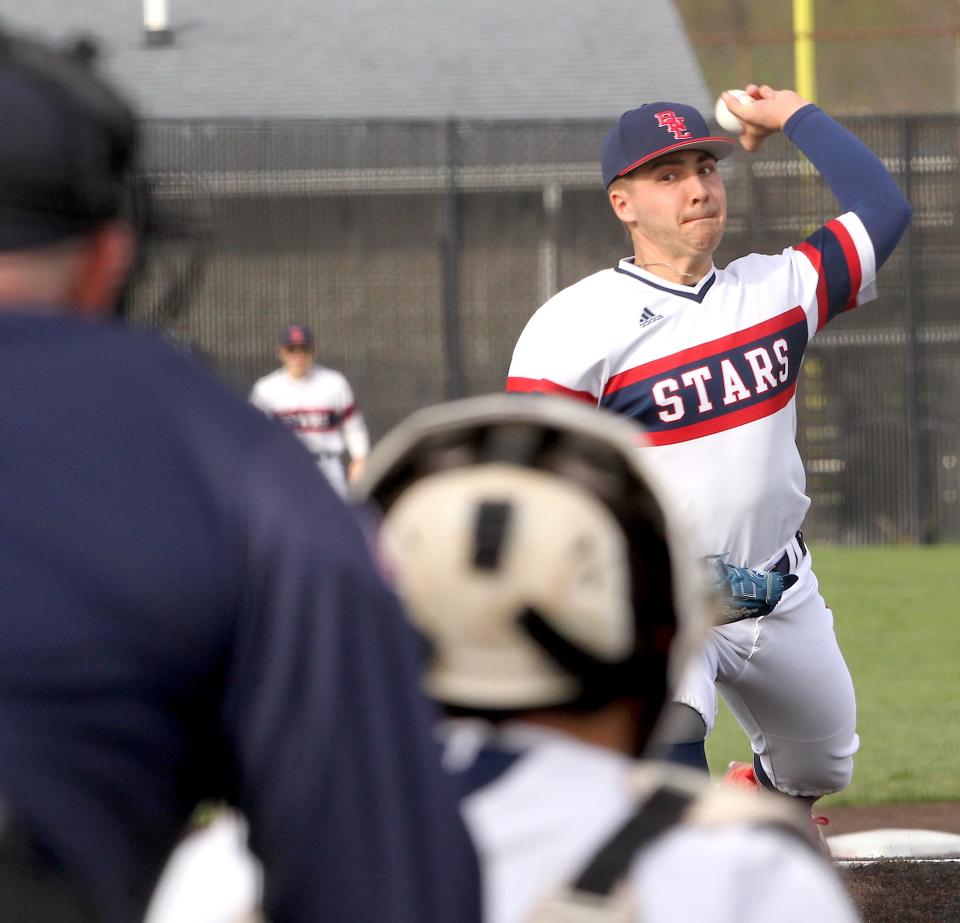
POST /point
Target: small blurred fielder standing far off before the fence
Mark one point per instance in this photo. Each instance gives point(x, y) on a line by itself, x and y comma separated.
point(317, 404)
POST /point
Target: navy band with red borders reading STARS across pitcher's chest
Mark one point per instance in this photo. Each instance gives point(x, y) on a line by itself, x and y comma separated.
point(715, 386)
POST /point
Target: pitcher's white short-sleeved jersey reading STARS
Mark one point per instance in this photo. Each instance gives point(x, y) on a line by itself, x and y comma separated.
point(710, 371)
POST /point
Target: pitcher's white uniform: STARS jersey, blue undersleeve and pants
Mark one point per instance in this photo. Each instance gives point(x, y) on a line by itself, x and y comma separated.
point(710, 371)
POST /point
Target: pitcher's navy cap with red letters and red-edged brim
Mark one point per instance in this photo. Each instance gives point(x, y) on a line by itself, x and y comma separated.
point(652, 130)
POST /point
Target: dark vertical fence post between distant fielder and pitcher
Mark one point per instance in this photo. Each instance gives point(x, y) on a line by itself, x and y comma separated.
point(450, 266)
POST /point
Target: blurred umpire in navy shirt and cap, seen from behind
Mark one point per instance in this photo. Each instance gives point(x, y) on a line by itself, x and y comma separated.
point(186, 610)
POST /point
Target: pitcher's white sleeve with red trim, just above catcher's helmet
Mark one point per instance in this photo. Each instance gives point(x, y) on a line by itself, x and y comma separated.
point(551, 358)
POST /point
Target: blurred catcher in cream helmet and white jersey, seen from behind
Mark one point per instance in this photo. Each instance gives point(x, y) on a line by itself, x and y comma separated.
point(536, 557)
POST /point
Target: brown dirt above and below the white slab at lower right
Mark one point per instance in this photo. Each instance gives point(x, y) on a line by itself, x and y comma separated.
point(902, 890)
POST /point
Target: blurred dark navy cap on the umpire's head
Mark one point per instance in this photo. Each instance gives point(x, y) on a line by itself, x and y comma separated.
point(67, 144)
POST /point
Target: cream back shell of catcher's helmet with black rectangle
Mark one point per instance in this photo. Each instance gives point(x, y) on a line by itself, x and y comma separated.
point(472, 548)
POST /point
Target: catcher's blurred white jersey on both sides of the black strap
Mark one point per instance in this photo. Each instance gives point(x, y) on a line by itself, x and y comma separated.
point(539, 821)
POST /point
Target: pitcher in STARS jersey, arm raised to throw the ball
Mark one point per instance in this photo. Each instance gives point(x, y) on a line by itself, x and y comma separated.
point(707, 360)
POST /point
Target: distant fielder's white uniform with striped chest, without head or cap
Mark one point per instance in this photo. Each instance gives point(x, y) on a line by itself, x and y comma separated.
point(320, 409)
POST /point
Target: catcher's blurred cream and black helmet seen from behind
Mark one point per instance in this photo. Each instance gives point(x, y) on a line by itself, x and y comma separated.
point(532, 551)
